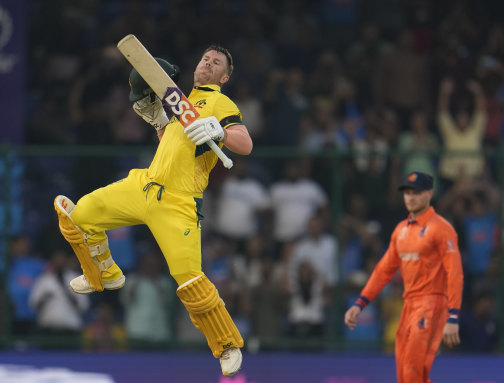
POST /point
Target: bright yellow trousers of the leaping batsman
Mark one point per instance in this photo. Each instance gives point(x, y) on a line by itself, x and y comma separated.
point(171, 216)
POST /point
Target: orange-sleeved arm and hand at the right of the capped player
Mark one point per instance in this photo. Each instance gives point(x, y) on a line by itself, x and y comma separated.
point(452, 263)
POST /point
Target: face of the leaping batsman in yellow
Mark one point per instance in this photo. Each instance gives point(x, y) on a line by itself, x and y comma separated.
point(212, 69)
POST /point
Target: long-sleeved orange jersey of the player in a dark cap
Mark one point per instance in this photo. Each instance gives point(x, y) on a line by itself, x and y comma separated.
point(426, 251)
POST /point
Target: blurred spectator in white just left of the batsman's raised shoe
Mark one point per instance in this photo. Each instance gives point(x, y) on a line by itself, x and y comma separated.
point(59, 311)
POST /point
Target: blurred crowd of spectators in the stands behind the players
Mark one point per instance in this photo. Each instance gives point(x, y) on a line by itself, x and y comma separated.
point(390, 86)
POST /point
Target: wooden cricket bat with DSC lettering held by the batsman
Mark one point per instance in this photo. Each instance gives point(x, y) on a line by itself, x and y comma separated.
point(164, 87)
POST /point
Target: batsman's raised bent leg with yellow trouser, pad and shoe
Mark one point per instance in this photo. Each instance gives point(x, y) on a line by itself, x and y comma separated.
point(83, 225)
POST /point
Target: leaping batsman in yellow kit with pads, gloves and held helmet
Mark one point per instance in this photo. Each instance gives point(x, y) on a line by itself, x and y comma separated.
point(167, 197)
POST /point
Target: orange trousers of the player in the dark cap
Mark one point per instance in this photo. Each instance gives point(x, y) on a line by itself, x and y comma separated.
point(423, 325)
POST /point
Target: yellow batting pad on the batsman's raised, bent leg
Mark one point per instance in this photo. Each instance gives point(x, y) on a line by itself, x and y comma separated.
point(75, 237)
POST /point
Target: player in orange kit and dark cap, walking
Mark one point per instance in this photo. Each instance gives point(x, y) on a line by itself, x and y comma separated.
point(424, 246)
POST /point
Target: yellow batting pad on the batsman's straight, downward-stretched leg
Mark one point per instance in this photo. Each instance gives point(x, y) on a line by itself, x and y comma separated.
point(207, 311)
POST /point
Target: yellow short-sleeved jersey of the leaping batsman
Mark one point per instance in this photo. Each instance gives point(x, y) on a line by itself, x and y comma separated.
point(179, 164)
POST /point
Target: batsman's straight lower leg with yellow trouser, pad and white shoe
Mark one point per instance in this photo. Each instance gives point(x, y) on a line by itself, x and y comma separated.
point(174, 224)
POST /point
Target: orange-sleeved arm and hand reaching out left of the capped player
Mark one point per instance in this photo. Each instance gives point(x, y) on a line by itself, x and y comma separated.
point(382, 274)
